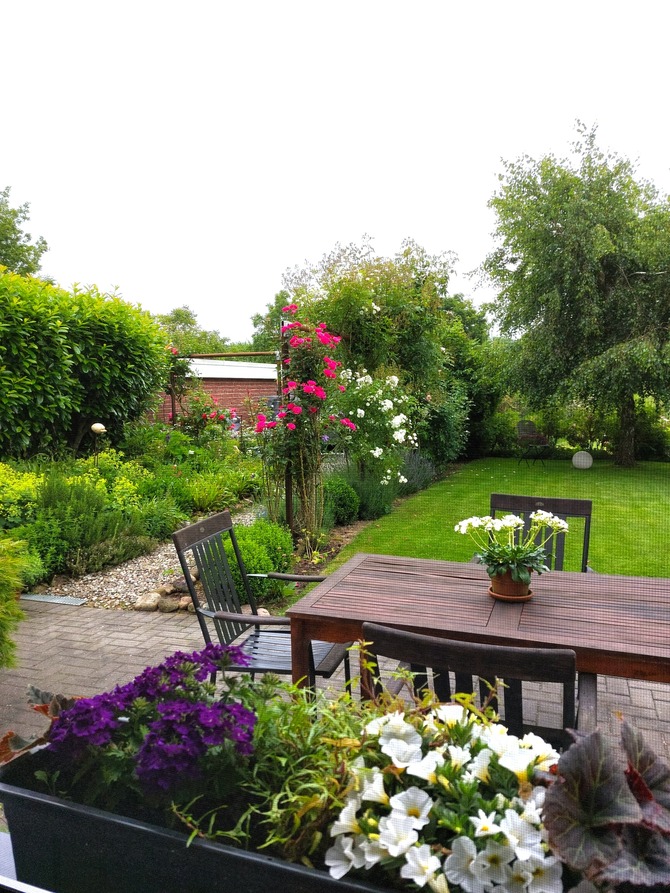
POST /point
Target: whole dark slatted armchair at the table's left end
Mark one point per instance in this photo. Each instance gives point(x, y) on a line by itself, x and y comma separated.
point(268, 645)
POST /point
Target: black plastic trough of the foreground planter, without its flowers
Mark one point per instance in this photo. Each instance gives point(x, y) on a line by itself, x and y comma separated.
point(67, 848)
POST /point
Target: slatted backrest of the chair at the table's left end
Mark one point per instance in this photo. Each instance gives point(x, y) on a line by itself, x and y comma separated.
point(212, 545)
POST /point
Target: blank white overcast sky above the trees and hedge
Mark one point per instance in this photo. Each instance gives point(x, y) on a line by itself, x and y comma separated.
point(189, 152)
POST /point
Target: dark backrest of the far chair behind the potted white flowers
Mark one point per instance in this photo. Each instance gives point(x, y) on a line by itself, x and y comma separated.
point(523, 506)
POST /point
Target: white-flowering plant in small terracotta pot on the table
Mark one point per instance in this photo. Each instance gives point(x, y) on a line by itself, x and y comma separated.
point(511, 552)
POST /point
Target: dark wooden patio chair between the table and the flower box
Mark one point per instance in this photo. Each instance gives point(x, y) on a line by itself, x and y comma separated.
point(491, 662)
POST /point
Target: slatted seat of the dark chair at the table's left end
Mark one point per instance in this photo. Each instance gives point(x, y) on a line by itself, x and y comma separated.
point(270, 652)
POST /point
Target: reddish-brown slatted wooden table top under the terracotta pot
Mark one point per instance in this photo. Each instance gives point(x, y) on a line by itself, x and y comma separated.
point(618, 626)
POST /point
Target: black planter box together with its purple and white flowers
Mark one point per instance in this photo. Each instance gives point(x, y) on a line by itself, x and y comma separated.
point(170, 783)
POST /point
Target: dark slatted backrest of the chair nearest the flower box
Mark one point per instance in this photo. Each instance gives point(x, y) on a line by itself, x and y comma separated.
point(514, 665)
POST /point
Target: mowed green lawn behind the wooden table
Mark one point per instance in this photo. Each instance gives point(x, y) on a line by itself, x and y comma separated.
point(630, 532)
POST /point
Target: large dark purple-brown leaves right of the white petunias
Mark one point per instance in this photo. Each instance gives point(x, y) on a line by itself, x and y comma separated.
point(609, 819)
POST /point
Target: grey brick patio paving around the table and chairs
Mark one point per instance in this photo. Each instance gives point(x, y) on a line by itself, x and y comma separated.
point(76, 650)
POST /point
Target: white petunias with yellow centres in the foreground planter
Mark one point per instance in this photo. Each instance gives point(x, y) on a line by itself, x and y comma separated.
point(442, 799)
